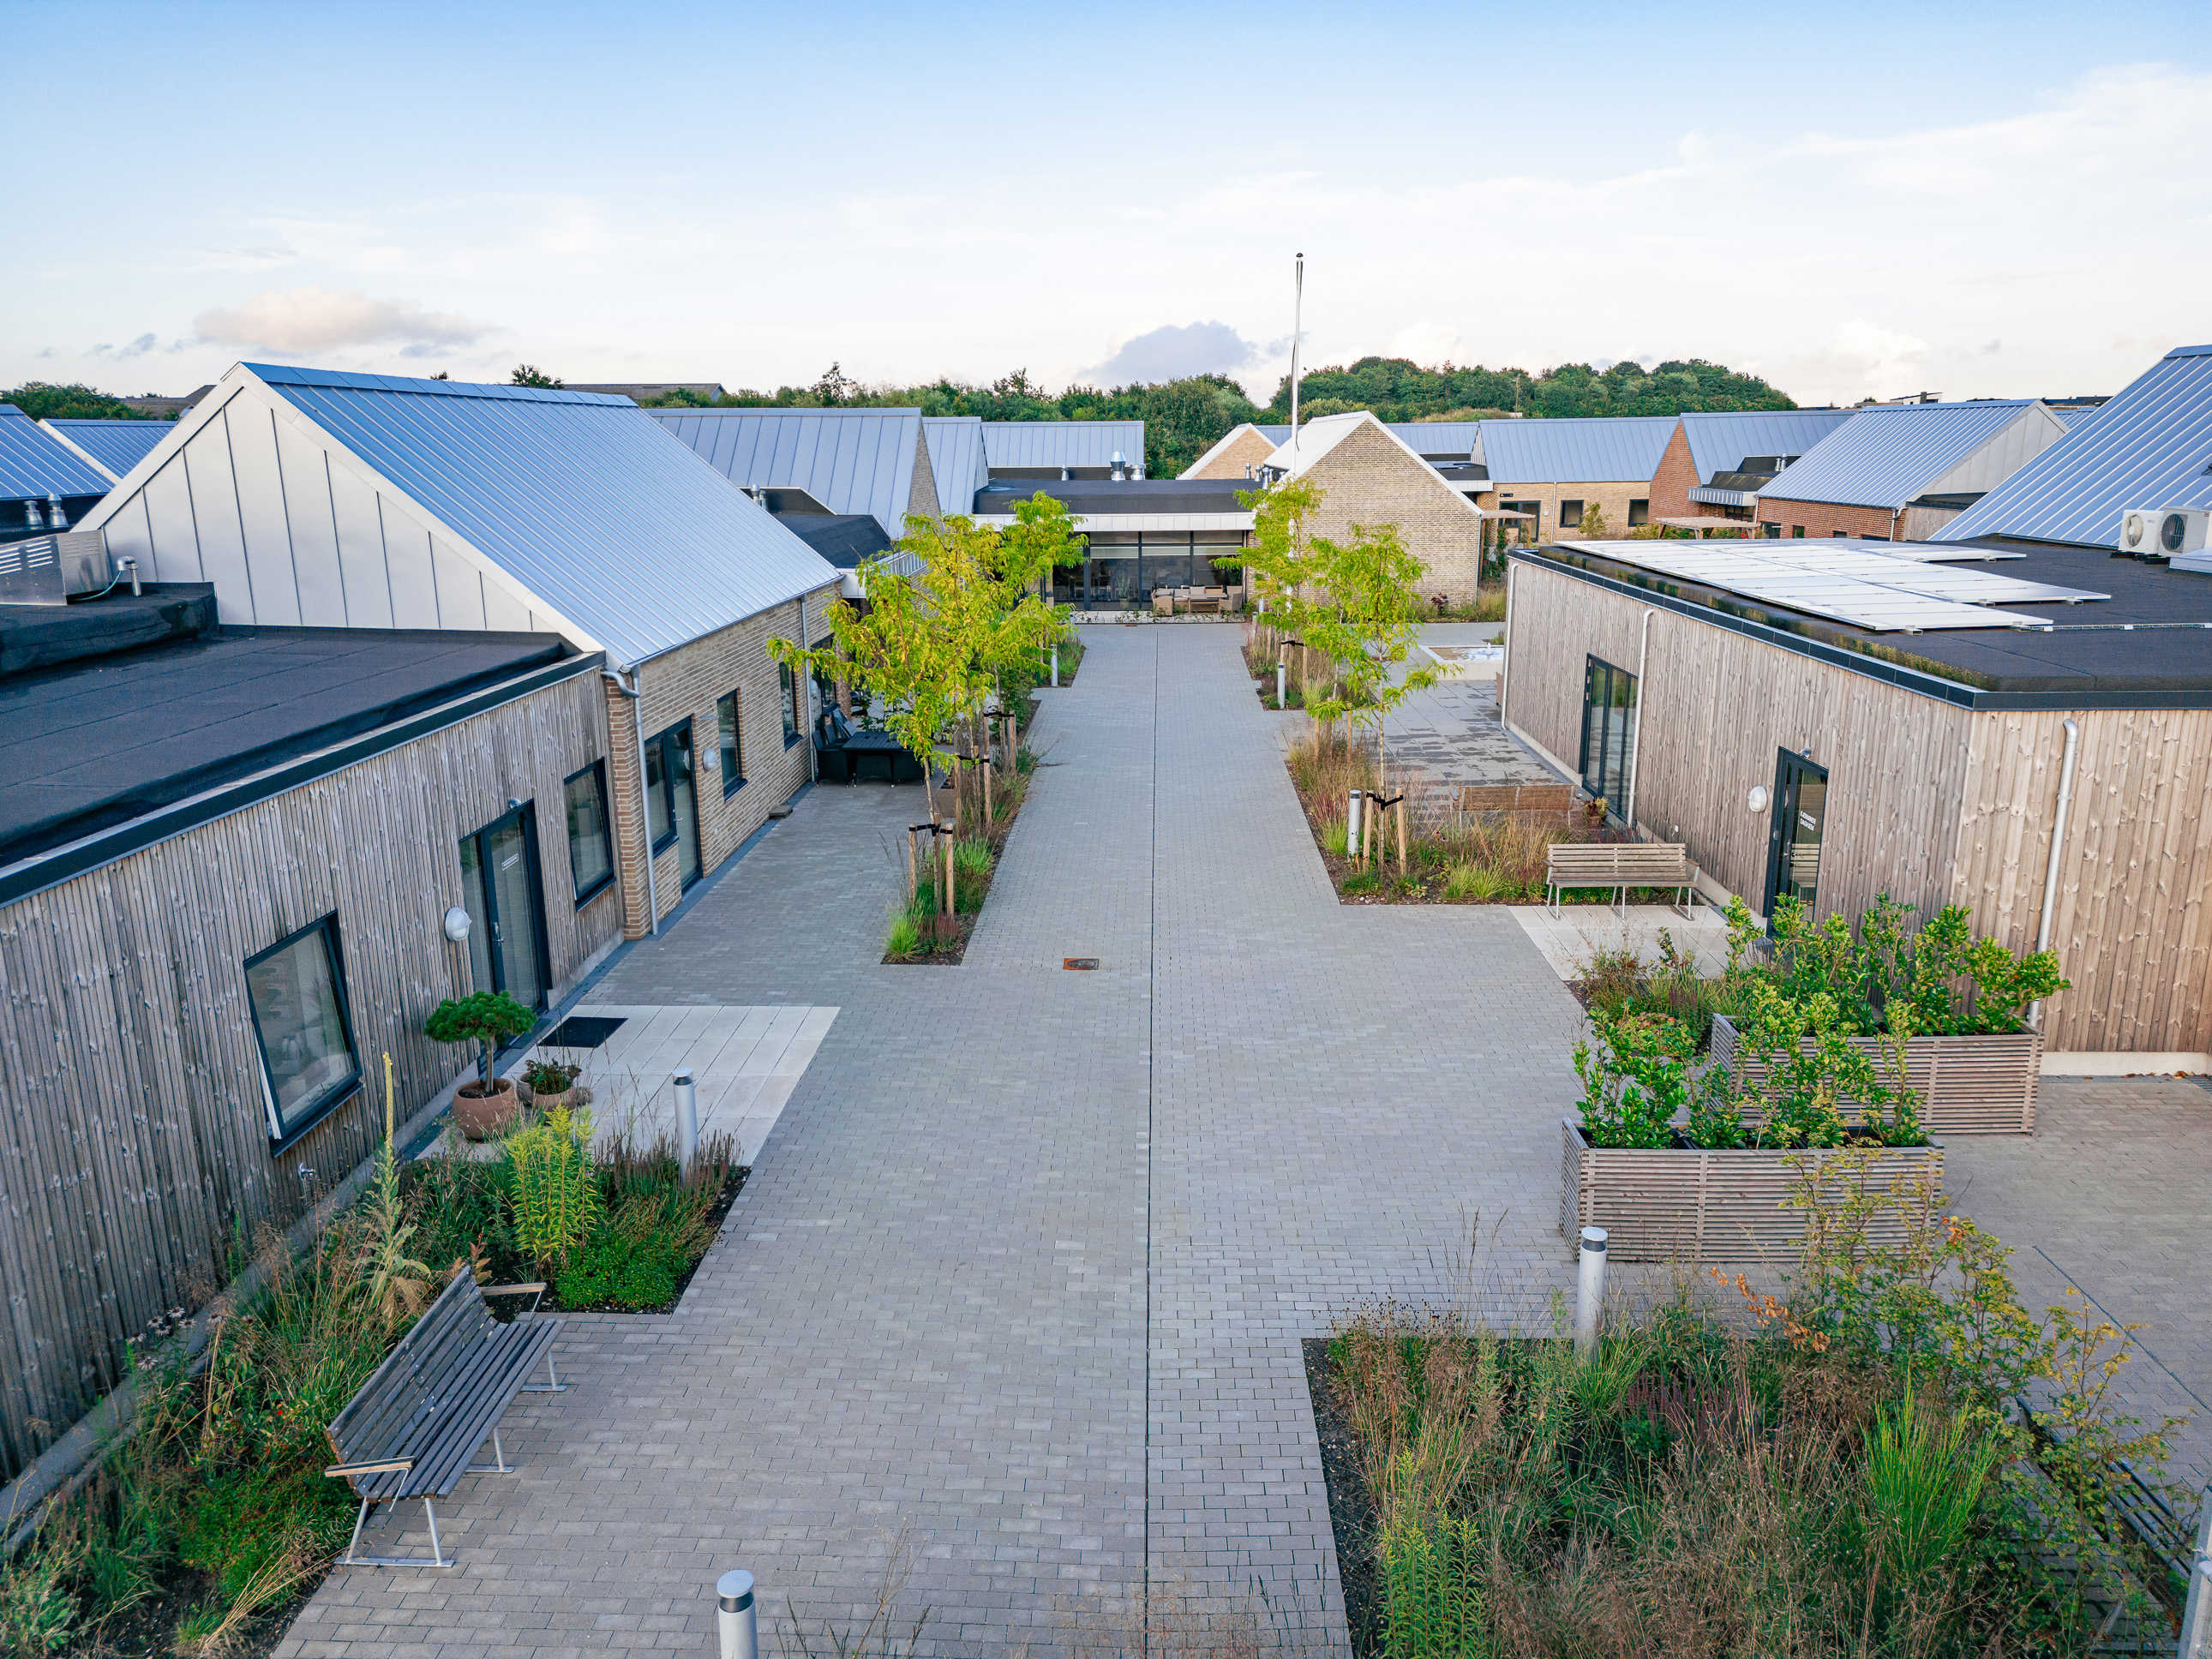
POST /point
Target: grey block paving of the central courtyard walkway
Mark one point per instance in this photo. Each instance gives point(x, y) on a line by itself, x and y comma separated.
point(1027, 1258)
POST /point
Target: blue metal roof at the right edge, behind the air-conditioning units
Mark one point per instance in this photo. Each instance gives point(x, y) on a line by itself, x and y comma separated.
point(2151, 446)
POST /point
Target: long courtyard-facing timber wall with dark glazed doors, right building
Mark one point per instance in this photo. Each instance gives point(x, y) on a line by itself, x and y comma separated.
point(1715, 711)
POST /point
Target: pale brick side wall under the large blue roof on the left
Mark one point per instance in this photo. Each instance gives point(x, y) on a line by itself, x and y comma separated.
point(687, 685)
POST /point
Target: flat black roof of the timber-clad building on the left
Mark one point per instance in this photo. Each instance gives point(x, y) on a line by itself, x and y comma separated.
point(107, 740)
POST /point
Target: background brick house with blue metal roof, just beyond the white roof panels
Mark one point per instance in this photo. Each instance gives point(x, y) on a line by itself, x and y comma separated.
point(1901, 472)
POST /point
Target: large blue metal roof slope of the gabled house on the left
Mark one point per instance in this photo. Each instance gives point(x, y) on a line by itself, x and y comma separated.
point(581, 499)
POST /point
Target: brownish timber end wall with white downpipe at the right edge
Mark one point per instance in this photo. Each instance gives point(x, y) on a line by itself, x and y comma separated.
point(2131, 926)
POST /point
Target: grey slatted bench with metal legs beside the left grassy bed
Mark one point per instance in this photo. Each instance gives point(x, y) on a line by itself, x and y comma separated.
point(417, 1423)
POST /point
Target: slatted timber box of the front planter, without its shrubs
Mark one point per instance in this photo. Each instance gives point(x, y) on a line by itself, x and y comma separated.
point(1687, 1204)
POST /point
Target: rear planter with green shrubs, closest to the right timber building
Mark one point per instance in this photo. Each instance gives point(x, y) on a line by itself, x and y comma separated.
point(1963, 1005)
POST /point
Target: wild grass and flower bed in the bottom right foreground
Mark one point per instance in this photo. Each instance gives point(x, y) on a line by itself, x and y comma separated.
point(1892, 1457)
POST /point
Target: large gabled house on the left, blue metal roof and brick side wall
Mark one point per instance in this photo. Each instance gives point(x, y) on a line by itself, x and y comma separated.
point(357, 501)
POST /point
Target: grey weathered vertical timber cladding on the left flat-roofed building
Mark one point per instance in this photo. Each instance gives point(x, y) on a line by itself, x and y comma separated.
point(134, 1140)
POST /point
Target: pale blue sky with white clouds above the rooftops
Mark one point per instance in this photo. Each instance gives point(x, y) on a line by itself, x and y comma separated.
point(1866, 202)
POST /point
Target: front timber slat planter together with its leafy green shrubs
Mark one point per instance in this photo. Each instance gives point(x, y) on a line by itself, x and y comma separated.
point(1682, 1165)
